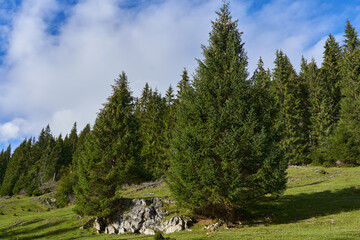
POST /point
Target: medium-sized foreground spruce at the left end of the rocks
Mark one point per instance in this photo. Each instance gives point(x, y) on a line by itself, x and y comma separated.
point(111, 155)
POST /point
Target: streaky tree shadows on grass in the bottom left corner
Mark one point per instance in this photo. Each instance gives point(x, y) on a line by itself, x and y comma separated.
point(27, 230)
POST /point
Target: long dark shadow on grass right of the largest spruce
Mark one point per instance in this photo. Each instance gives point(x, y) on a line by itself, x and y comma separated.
point(293, 208)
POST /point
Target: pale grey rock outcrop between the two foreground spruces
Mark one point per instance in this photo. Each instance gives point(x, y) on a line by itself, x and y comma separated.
point(145, 216)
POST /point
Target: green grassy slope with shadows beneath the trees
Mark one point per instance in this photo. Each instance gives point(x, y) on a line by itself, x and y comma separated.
point(315, 206)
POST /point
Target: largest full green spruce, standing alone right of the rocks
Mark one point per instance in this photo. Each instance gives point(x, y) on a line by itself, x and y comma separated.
point(223, 155)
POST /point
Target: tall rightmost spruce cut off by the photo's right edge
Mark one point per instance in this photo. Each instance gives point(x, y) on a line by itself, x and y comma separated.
point(343, 145)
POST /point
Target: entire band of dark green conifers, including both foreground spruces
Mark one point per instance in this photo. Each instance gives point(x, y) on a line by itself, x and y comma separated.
point(222, 140)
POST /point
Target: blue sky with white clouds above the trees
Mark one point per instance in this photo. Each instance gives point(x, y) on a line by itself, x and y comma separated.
point(58, 58)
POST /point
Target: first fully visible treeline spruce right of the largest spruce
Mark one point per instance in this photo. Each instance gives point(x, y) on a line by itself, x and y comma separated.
point(289, 91)
